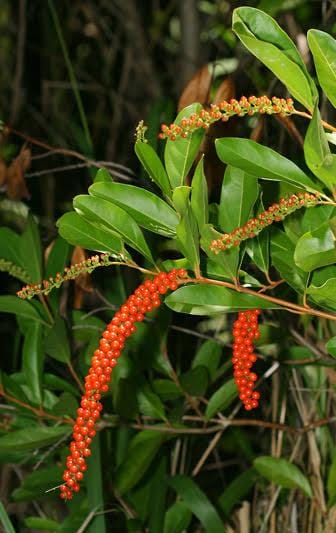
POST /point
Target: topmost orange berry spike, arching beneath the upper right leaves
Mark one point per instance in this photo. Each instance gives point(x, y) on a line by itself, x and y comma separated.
point(224, 111)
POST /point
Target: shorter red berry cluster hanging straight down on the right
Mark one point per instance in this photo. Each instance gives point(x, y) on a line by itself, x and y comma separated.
point(245, 330)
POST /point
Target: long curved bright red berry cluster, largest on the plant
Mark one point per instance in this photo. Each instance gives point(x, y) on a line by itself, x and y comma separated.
point(145, 298)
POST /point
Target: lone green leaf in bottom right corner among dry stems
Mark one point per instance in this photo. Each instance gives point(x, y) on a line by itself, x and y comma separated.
point(282, 473)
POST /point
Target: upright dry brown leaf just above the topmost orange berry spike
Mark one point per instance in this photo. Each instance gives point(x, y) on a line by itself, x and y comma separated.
point(197, 89)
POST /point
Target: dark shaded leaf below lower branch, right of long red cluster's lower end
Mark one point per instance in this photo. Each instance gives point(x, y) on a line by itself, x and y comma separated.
point(141, 451)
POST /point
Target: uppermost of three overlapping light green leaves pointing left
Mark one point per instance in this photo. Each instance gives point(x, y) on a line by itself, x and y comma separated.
point(147, 209)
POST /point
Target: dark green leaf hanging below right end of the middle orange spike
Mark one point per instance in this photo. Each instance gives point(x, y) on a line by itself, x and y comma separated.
point(282, 256)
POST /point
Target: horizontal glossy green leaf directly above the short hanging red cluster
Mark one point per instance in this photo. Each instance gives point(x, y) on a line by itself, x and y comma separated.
point(210, 299)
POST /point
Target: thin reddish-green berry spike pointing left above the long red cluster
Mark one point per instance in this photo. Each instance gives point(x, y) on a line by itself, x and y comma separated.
point(72, 272)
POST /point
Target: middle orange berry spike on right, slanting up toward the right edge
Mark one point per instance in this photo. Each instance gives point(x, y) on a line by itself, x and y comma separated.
point(274, 213)
